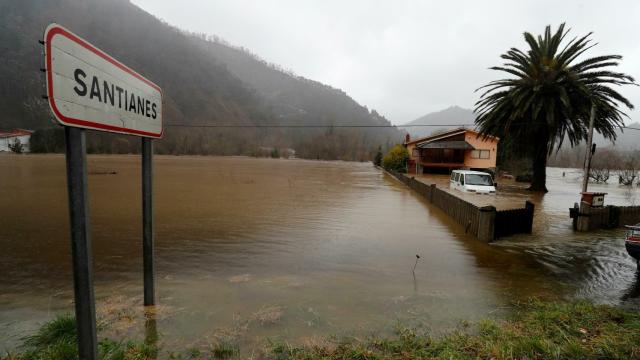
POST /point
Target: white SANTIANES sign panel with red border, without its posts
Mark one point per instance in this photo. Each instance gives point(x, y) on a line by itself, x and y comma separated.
point(89, 89)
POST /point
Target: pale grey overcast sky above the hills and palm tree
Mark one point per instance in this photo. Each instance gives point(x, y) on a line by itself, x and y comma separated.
point(403, 58)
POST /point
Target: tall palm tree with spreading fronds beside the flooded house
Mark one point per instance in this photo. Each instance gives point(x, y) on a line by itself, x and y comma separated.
point(549, 97)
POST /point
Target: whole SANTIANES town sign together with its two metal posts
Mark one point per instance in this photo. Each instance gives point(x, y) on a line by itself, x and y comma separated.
point(88, 89)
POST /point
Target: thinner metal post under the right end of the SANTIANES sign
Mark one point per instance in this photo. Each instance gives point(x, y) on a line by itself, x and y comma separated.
point(147, 222)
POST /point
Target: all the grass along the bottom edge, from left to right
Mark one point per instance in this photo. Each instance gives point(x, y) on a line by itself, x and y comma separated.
point(536, 330)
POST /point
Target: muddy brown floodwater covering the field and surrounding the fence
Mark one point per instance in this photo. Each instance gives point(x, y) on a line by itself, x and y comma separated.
point(255, 249)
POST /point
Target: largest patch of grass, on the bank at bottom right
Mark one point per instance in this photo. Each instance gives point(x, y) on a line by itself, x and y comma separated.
point(536, 330)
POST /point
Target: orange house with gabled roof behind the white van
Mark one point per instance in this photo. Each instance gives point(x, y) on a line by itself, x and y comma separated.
point(460, 148)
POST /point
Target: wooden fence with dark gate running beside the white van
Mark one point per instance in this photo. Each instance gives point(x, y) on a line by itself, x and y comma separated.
point(486, 223)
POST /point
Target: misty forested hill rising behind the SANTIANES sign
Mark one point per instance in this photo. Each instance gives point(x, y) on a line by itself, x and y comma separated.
point(205, 82)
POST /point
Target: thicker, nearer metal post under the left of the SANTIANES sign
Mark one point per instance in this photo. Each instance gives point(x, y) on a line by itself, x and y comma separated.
point(76, 156)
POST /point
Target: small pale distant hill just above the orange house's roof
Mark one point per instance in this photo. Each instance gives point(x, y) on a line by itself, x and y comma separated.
point(451, 117)
